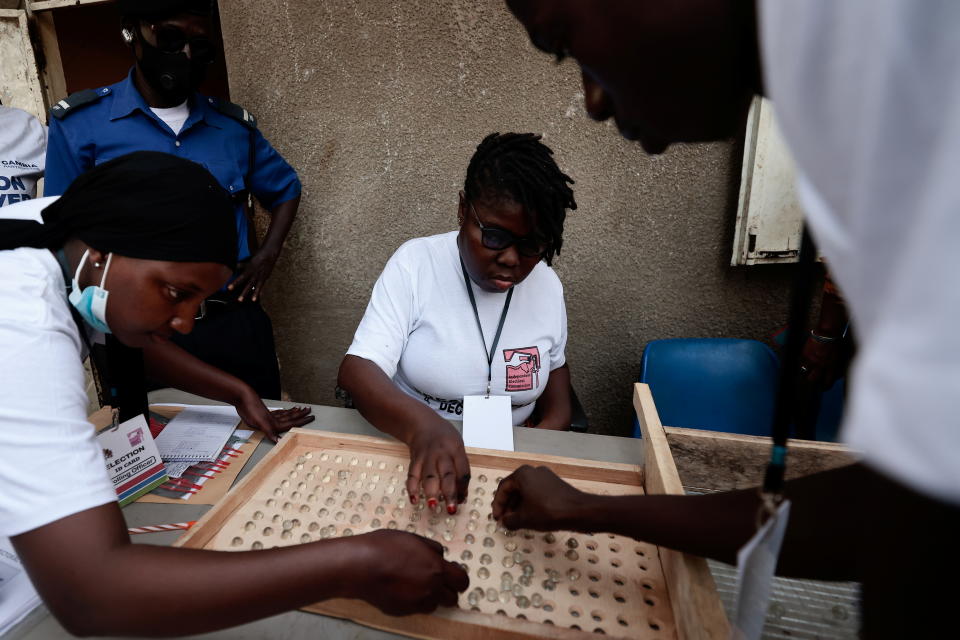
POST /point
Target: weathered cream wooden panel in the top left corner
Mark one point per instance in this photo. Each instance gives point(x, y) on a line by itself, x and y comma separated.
point(19, 81)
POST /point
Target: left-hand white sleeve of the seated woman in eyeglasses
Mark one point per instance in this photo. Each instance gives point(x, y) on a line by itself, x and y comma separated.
point(389, 318)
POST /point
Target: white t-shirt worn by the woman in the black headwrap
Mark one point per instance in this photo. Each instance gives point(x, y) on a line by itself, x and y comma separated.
point(50, 464)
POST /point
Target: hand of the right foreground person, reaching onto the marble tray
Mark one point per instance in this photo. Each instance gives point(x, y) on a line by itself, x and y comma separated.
point(536, 498)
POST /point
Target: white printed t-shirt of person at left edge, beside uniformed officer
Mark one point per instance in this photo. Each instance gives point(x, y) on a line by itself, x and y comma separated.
point(23, 149)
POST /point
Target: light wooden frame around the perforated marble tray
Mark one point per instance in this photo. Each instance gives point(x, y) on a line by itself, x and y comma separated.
point(698, 613)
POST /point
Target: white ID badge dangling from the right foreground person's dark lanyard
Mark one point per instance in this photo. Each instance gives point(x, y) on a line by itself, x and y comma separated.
point(756, 563)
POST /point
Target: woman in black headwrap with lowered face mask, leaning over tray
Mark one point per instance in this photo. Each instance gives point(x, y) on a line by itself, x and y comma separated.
point(132, 248)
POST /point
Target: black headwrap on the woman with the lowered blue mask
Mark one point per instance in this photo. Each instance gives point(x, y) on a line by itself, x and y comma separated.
point(146, 204)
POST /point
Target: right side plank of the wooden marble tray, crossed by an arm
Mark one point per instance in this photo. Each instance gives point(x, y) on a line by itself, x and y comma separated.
point(698, 612)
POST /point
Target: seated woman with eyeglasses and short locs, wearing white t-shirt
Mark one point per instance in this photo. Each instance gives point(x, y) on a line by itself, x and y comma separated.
point(473, 311)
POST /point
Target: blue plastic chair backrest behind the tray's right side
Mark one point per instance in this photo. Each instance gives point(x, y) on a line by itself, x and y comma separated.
point(720, 384)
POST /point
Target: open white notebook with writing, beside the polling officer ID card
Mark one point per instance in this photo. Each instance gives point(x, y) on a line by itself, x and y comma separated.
point(196, 435)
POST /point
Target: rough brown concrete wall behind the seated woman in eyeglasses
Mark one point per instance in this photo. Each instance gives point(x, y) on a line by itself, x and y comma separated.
point(379, 106)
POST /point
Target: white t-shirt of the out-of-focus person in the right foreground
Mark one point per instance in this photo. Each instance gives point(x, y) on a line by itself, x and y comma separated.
point(867, 93)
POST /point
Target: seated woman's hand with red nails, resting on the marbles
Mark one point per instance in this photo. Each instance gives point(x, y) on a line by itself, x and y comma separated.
point(438, 463)
